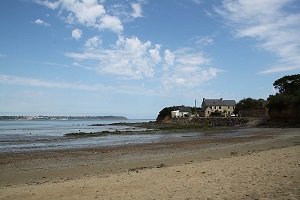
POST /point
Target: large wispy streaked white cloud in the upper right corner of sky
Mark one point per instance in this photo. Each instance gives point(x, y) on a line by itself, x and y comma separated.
point(275, 29)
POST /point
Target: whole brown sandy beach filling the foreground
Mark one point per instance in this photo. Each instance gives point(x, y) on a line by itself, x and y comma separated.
point(262, 165)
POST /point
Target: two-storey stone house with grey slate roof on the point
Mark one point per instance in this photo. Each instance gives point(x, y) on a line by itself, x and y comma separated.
point(217, 107)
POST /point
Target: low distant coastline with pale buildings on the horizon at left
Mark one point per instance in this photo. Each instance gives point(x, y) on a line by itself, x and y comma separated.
point(41, 117)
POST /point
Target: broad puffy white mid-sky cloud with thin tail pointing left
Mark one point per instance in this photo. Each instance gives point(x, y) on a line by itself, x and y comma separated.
point(128, 58)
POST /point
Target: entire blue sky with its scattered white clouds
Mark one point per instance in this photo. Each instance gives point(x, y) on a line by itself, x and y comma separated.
point(135, 57)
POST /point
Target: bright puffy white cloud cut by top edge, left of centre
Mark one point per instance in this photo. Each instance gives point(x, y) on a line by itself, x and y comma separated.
point(90, 13)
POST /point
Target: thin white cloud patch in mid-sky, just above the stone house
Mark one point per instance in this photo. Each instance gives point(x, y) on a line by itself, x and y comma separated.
point(190, 68)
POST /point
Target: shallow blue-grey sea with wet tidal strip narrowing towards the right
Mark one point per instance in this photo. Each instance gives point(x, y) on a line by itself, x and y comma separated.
point(20, 136)
